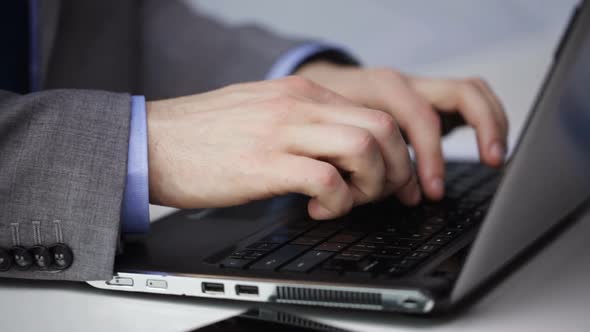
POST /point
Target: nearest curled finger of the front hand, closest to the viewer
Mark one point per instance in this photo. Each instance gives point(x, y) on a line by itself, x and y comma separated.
point(330, 195)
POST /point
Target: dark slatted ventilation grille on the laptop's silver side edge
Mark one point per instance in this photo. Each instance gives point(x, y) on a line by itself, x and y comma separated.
point(329, 297)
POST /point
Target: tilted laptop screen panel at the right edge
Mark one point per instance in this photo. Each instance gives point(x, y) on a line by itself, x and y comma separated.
point(547, 178)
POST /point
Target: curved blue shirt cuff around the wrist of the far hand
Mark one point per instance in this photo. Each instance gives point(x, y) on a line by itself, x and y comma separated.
point(289, 62)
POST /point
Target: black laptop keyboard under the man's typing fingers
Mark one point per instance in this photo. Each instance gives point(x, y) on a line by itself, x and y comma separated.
point(383, 239)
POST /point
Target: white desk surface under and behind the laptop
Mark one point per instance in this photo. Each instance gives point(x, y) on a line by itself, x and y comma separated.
point(548, 294)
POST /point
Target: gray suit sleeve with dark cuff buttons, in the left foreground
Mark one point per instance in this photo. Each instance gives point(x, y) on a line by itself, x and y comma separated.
point(63, 164)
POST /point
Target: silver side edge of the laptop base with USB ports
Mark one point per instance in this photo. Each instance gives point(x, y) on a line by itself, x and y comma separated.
point(411, 301)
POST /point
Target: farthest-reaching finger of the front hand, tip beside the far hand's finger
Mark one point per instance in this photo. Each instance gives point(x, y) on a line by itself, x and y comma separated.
point(384, 128)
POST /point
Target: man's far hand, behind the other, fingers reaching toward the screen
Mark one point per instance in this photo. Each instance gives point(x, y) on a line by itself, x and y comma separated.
point(415, 104)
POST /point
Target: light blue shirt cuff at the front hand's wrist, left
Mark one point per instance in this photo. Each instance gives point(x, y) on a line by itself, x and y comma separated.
point(135, 215)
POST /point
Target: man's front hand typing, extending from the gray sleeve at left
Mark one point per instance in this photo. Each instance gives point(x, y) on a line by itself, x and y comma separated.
point(257, 140)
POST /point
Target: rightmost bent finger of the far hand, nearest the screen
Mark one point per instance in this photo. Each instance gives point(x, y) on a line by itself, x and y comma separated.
point(465, 98)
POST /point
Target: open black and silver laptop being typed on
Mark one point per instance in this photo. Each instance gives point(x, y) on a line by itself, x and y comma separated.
point(384, 256)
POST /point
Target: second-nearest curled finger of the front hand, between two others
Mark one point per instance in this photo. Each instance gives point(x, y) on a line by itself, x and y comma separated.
point(351, 149)
